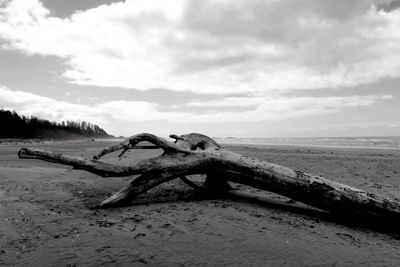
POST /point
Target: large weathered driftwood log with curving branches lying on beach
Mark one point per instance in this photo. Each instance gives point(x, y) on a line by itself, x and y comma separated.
point(198, 154)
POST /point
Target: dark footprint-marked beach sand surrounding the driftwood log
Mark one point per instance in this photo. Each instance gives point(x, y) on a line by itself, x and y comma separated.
point(45, 219)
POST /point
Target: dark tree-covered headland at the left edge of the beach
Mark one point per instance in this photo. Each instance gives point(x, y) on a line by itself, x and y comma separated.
point(16, 126)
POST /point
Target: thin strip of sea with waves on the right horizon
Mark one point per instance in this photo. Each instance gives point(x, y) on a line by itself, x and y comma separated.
point(389, 142)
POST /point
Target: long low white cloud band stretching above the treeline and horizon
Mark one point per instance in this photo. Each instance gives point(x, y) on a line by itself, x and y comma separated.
point(258, 108)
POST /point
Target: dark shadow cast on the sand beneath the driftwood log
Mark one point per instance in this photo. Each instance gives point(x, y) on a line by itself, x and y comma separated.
point(176, 195)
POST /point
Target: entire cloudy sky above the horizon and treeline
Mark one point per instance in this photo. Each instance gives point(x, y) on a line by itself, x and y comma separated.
point(244, 68)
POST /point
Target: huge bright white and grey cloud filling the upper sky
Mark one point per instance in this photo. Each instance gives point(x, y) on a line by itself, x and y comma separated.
point(217, 46)
